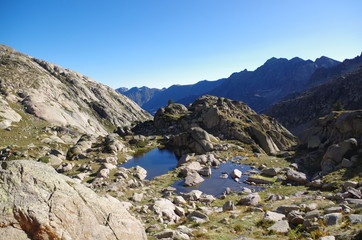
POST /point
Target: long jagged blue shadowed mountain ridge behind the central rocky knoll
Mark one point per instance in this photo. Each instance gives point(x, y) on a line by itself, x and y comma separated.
point(259, 89)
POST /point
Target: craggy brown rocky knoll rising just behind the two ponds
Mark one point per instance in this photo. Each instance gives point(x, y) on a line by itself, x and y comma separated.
point(225, 119)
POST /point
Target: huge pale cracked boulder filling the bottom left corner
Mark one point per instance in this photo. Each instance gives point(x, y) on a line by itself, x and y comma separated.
point(39, 203)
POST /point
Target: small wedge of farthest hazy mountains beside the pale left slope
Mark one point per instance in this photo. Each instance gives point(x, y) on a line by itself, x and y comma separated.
point(140, 95)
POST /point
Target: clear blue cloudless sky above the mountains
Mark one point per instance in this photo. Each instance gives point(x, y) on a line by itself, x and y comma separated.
point(158, 43)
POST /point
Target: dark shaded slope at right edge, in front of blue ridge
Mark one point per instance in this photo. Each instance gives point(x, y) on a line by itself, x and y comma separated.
point(342, 92)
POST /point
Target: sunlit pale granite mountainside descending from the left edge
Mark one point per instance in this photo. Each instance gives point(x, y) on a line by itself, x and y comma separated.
point(60, 96)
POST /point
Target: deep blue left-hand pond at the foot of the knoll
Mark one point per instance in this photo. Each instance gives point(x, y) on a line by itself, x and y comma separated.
point(157, 162)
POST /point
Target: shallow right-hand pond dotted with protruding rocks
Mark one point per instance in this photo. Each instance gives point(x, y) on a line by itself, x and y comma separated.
point(214, 185)
